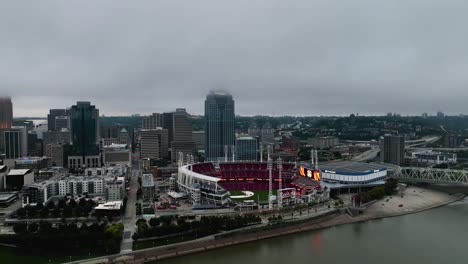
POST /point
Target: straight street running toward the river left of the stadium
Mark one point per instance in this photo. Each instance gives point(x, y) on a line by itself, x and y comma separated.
point(129, 218)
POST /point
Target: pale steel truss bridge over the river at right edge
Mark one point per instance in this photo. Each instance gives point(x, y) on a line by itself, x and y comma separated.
point(431, 175)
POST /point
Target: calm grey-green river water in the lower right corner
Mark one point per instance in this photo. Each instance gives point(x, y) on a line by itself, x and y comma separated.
point(435, 236)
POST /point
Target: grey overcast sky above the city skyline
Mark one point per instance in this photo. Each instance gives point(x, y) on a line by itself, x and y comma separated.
point(330, 57)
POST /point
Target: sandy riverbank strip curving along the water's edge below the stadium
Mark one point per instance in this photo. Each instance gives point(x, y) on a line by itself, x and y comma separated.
point(415, 199)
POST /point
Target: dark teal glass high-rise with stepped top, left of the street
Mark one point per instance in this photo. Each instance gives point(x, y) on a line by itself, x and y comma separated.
point(84, 128)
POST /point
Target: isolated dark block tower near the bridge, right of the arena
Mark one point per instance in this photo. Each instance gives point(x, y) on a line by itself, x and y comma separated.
point(393, 149)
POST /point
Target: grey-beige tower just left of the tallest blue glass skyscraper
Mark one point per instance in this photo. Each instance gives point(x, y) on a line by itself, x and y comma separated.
point(182, 134)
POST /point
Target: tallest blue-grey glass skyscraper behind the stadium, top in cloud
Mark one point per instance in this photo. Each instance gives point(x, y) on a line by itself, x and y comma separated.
point(219, 124)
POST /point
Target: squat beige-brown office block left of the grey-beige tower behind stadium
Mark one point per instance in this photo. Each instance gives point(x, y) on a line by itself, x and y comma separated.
point(154, 143)
